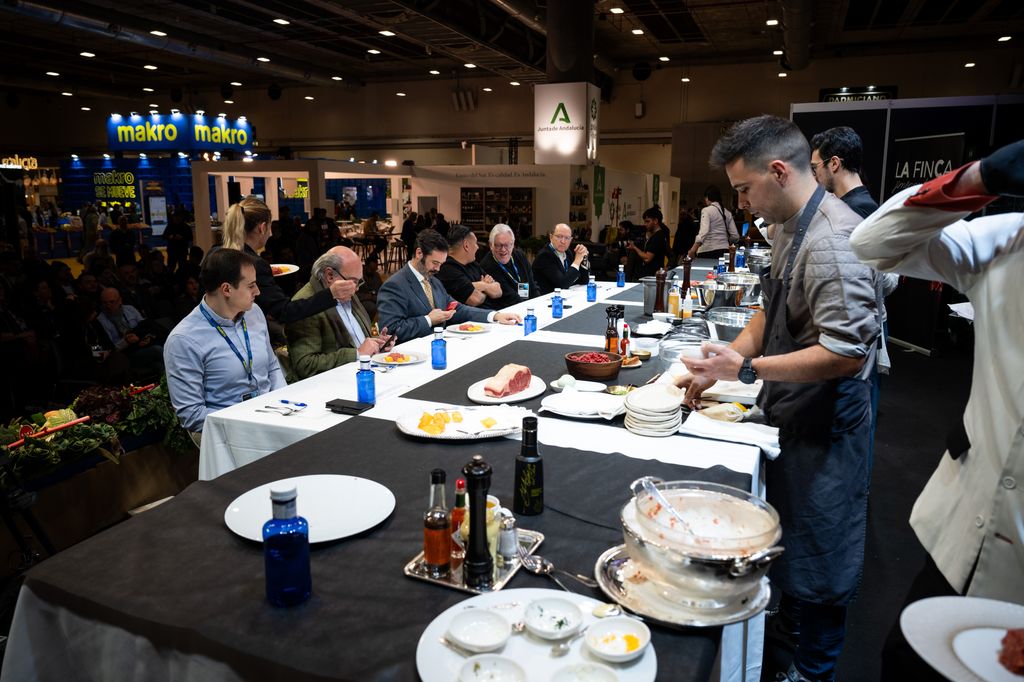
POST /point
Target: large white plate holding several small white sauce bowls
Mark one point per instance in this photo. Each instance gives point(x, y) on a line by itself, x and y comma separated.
point(437, 663)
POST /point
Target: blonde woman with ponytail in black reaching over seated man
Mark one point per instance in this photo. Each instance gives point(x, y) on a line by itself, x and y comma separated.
point(247, 228)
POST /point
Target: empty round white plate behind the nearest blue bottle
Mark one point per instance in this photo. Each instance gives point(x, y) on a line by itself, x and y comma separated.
point(335, 506)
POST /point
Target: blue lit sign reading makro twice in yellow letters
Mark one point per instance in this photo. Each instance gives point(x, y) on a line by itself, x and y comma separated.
point(178, 133)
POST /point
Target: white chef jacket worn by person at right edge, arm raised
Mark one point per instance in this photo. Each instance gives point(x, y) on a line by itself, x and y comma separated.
point(972, 509)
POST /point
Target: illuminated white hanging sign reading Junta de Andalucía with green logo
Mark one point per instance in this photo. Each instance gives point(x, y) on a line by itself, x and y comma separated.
point(566, 123)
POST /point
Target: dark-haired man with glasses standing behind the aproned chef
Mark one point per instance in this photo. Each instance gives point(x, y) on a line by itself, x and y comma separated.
point(836, 156)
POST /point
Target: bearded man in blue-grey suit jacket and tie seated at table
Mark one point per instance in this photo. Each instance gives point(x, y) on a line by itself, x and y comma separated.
point(413, 302)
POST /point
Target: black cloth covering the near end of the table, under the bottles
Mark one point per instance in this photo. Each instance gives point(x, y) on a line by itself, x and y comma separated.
point(179, 577)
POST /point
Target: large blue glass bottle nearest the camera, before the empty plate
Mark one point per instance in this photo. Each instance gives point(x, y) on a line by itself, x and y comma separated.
point(286, 552)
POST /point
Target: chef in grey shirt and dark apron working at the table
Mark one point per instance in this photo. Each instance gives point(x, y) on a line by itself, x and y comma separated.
point(814, 348)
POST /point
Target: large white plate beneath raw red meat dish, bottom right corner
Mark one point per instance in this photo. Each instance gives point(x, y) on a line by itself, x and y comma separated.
point(932, 625)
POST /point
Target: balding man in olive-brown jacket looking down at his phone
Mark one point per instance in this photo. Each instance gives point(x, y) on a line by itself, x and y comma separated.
point(340, 334)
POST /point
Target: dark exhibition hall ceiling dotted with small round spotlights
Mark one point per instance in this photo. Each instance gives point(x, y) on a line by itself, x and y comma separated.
point(209, 46)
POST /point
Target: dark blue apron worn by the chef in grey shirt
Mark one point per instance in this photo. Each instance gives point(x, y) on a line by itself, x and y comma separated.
point(820, 483)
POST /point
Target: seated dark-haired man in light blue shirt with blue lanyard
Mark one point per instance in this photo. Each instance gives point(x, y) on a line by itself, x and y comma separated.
point(221, 354)
